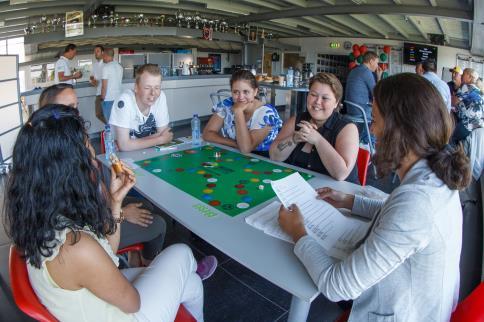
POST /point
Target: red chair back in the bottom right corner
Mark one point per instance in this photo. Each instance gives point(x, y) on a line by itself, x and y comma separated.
point(471, 309)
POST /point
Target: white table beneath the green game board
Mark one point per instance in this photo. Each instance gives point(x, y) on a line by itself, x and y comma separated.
point(271, 258)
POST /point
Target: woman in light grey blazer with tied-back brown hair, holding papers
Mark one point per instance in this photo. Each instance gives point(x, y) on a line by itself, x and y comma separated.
point(407, 266)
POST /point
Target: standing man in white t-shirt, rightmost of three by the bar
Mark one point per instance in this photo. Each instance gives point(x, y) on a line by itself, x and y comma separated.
point(111, 87)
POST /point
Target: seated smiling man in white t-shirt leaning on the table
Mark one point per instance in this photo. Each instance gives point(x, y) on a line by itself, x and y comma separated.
point(140, 117)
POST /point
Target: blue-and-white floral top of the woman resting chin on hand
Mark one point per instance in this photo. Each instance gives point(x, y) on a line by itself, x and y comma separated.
point(266, 115)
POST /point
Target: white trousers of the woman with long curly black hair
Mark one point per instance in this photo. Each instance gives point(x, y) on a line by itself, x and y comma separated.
point(168, 281)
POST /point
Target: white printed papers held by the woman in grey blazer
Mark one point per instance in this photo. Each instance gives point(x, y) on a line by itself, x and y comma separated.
point(336, 233)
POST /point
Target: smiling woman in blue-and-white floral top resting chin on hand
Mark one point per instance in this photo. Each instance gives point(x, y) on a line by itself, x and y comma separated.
point(243, 121)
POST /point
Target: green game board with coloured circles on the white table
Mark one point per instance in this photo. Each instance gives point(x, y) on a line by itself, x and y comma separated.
point(231, 182)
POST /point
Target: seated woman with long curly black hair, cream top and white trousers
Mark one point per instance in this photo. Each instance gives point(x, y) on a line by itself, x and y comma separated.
point(58, 216)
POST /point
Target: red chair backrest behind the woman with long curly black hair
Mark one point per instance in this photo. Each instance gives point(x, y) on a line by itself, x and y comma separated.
point(23, 294)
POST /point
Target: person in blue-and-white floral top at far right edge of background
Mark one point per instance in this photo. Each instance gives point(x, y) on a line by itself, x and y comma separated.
point(468, 106)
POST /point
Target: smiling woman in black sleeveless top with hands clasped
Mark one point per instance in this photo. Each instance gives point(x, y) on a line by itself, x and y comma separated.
point(320, 139)
